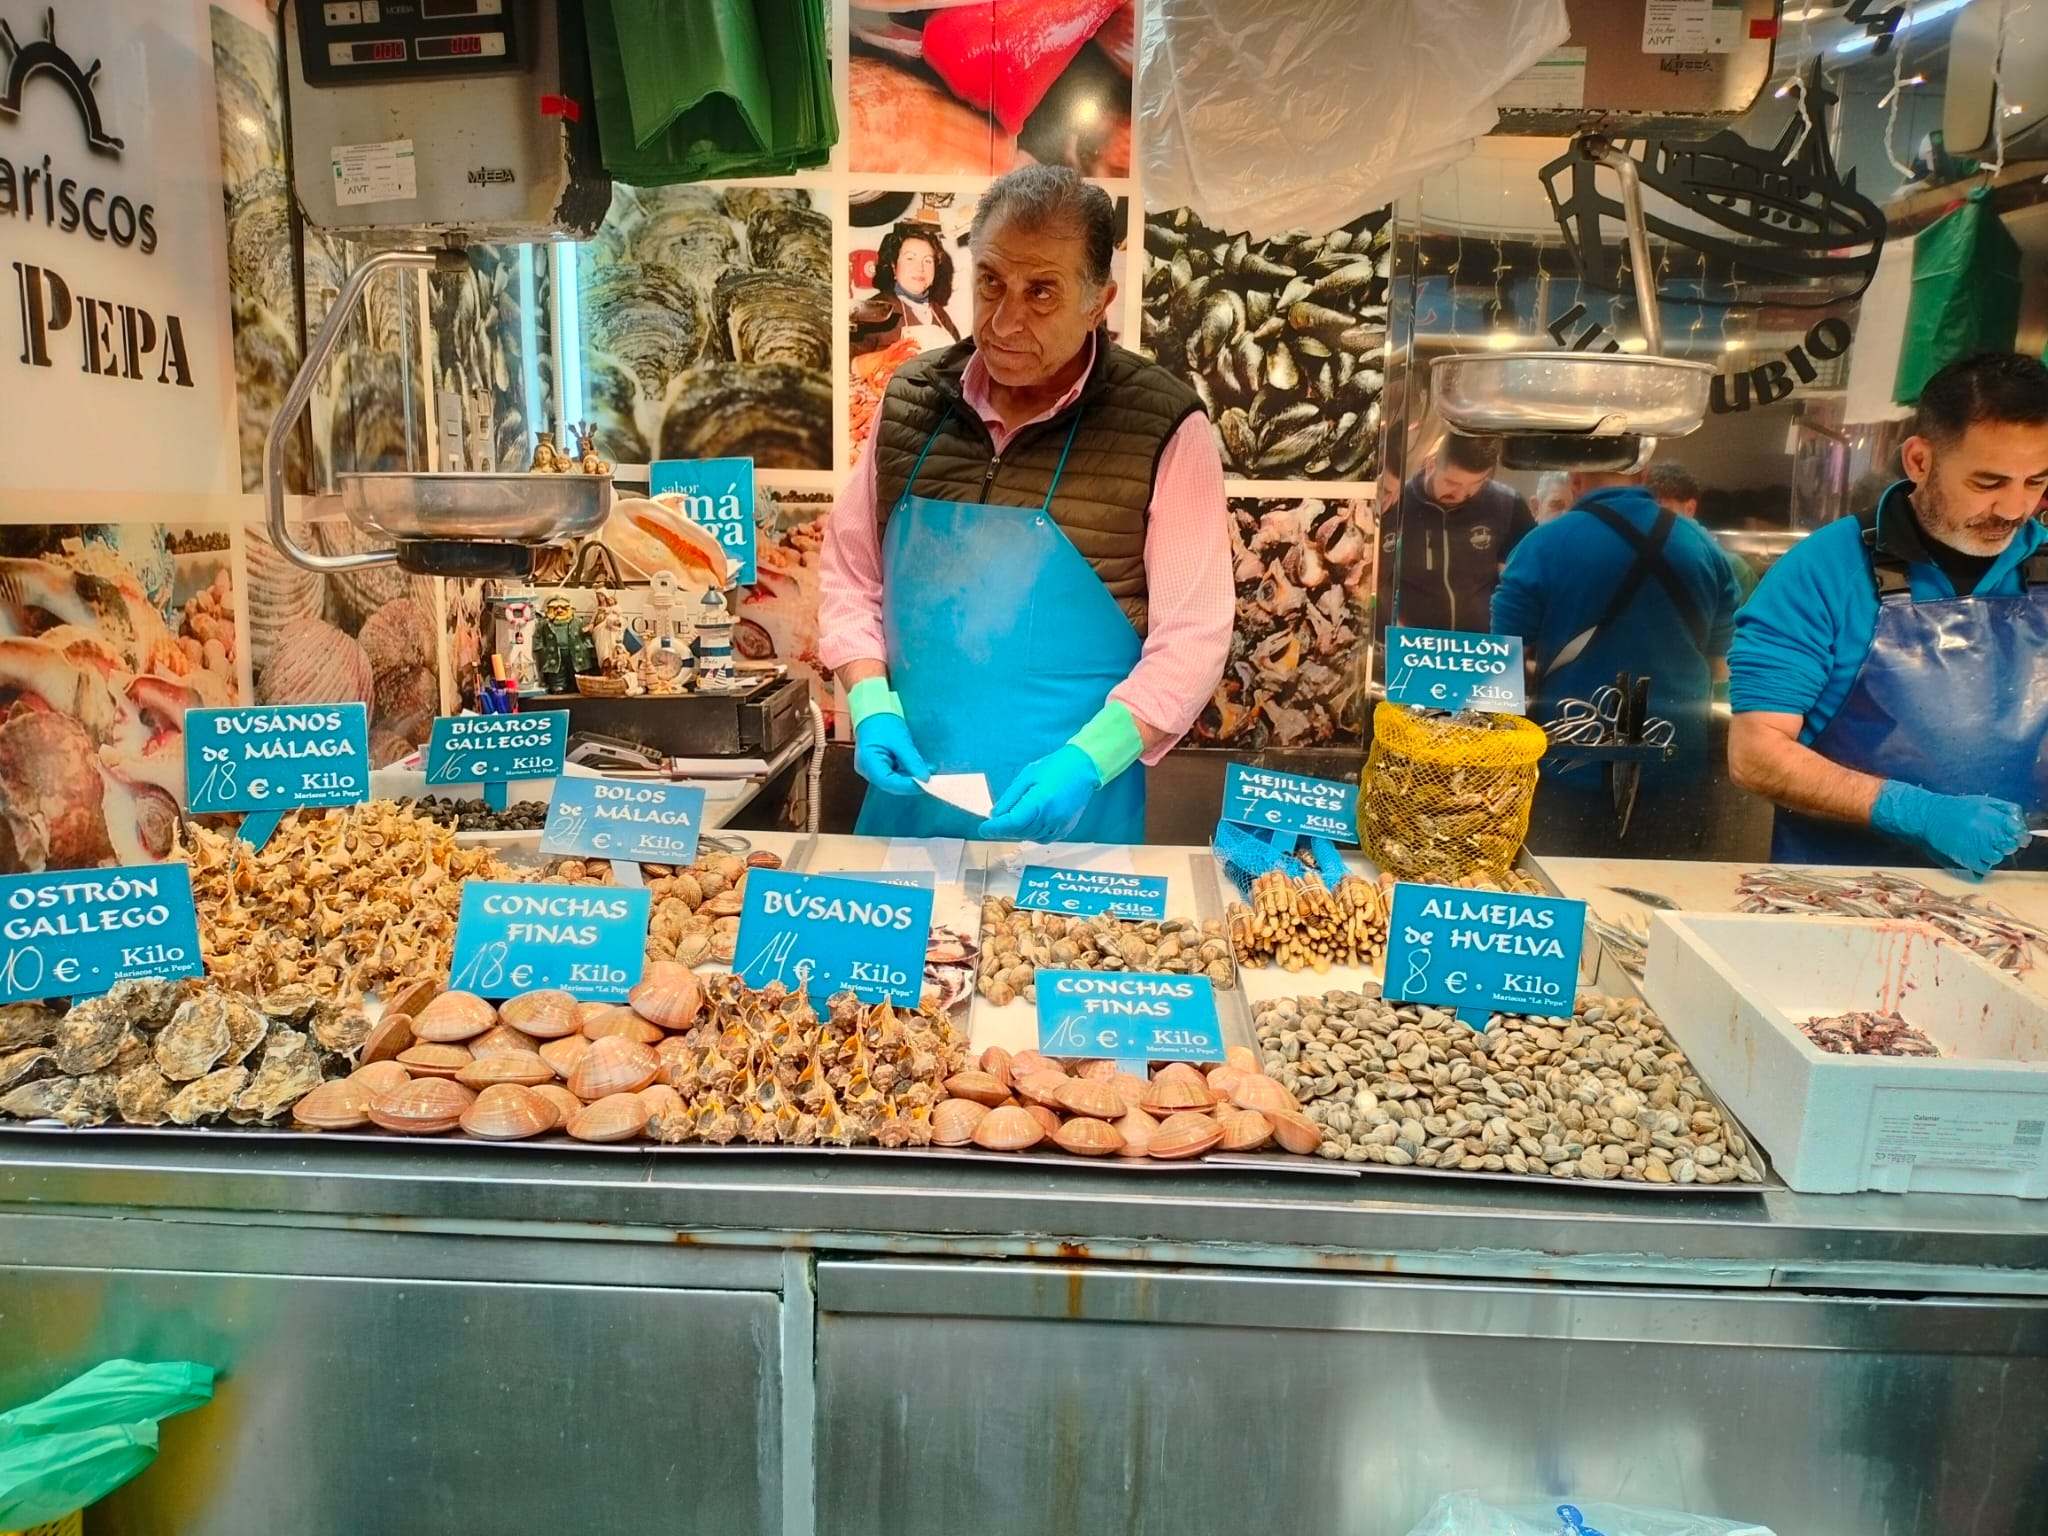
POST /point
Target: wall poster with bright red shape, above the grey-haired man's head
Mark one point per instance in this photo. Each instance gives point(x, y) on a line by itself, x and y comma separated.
point(982, 89)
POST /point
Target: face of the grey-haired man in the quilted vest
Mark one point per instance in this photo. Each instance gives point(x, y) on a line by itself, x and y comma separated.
point(1035, 306)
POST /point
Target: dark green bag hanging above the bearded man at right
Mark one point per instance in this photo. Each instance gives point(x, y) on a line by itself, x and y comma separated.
point(1965, 294)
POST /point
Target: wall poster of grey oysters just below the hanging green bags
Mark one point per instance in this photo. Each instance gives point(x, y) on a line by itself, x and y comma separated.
point(708, 327)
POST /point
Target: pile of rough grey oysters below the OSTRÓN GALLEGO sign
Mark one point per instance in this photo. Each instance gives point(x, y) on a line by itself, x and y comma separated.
point(175, 1054)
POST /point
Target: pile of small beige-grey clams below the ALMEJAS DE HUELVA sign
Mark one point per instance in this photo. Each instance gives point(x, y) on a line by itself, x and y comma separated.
point(1603, 1095)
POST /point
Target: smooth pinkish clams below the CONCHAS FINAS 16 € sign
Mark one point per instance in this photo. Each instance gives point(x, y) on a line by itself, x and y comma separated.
point(1097, 1109)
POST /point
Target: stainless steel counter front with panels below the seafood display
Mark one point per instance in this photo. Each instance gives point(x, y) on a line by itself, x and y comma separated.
point(505, 1340)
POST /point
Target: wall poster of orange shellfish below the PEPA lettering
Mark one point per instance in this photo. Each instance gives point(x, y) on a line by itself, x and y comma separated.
point(110, 634)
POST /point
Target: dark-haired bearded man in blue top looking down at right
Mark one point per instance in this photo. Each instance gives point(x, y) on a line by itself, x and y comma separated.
point(1891, 673)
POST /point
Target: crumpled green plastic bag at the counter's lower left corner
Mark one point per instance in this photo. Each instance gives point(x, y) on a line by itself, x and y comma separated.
point(93, 1435)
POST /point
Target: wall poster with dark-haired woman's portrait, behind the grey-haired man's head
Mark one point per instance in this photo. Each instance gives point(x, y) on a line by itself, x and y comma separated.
point(908, 284)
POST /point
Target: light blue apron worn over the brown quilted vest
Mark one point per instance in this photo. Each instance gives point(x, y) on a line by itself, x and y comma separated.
point(1002, 644)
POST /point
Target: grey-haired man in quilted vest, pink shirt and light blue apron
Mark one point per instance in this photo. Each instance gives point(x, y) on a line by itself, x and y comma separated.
point(1029, 574)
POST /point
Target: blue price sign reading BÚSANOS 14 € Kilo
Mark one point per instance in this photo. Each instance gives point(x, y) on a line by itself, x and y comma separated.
point(828, 933)
